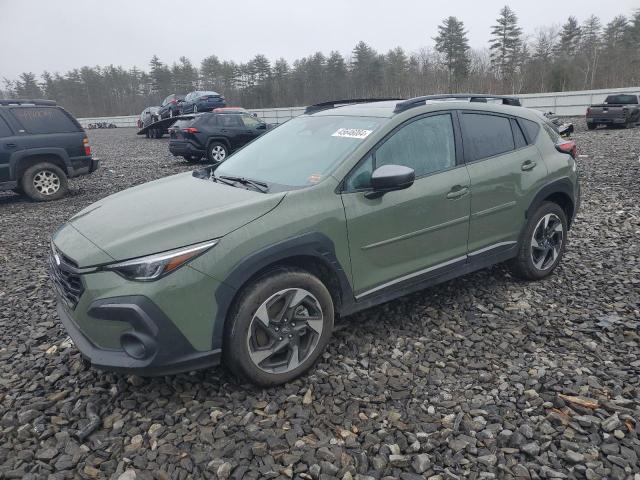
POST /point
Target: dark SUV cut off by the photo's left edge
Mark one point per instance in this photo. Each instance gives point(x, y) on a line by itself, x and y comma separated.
point(41, 145)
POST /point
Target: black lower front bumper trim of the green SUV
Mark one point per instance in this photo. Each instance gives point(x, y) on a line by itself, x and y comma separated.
point(152, 344)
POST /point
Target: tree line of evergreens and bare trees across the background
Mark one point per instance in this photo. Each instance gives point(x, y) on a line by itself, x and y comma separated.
point(572, 56)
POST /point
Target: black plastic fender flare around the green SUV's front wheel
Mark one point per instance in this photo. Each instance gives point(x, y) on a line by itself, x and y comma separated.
point(314, 244)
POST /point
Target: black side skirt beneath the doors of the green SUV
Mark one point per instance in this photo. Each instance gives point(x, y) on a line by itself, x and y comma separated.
point(474, 261)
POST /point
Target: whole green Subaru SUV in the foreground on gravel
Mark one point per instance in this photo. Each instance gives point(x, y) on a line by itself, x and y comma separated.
point(350, 205)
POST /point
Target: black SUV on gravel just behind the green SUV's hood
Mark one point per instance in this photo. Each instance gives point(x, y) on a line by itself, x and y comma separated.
point(214, 135)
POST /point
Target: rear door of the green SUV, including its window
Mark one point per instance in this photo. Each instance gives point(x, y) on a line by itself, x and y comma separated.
point(503, 169)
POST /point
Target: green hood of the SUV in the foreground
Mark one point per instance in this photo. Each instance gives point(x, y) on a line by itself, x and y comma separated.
point(165, 214)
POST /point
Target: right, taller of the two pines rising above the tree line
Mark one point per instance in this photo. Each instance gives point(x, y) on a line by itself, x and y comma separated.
point(506, 43)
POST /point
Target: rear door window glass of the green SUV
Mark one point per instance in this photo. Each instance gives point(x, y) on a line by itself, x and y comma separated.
point(487, 135)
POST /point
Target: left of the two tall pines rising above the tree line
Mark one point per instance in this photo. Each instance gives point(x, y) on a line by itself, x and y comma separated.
point(453, 44)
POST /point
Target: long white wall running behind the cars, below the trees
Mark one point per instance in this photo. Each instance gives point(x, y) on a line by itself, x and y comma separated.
point(561, 103)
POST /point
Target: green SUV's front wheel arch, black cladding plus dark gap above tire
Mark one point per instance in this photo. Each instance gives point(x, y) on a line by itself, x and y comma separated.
point(313, 253)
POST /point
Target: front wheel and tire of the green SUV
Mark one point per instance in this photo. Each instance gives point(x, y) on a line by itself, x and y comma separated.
point(265, 354)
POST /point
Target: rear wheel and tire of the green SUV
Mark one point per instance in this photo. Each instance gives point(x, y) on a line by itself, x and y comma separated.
point(537, 262)
